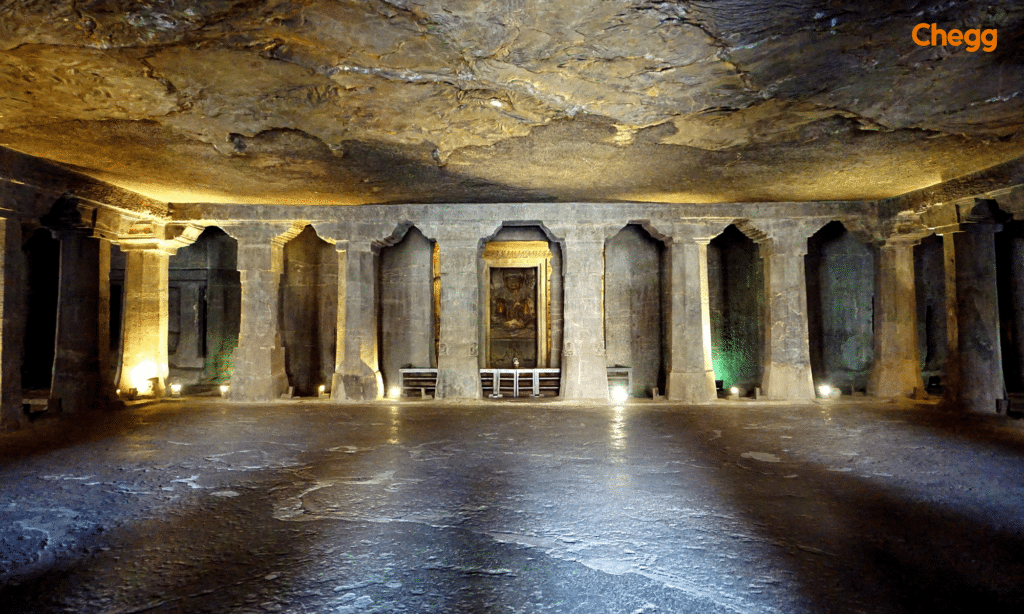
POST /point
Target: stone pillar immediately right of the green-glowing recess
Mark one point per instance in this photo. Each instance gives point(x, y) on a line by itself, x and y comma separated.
point(788, 358)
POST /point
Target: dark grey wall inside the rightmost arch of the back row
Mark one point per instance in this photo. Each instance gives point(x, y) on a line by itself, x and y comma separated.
point(840, 273)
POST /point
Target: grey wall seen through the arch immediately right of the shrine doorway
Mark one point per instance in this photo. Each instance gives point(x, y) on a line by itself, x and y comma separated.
point(633, 308)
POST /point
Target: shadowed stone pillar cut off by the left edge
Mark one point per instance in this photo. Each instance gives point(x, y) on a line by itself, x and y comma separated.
point(12, 324)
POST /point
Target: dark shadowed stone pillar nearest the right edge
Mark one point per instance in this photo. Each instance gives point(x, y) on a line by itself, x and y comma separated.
point(978, 362)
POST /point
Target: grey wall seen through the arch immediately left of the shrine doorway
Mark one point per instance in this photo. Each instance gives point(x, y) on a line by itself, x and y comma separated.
point(407, 306)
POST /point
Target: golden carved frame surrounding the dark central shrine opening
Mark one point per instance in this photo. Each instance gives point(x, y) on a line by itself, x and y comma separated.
point(528, 255)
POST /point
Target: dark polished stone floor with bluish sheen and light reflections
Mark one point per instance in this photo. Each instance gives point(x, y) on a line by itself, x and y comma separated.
point(192, 506)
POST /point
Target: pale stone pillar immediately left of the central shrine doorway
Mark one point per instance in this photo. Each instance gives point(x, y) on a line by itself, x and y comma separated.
point(458, 352)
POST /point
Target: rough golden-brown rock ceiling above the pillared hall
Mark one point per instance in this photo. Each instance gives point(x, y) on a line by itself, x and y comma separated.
point(506, 101)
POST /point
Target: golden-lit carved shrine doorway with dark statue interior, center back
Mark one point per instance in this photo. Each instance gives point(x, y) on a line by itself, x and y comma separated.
point(518, 276)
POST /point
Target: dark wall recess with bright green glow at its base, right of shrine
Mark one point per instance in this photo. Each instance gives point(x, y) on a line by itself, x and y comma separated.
point(736, 284)
